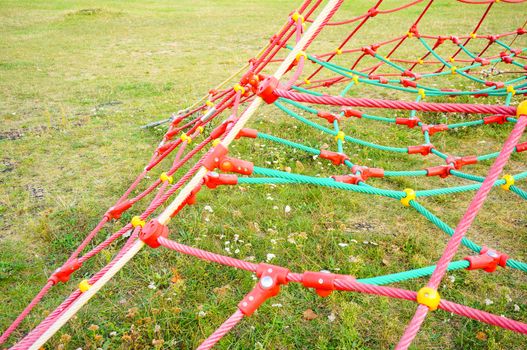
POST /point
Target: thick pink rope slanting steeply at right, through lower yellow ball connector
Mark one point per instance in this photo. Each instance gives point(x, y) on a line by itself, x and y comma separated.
point(463, 226)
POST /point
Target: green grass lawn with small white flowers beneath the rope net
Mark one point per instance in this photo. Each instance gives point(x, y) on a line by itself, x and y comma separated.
point(77, 79)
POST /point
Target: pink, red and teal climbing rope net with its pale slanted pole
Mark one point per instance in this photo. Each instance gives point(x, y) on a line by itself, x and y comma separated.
point(315, 92)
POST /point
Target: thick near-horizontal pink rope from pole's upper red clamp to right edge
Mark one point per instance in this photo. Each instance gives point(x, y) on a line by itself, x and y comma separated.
point(391, 104)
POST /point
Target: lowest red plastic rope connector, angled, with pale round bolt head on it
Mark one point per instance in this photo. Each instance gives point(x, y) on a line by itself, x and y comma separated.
point(271, 278)
